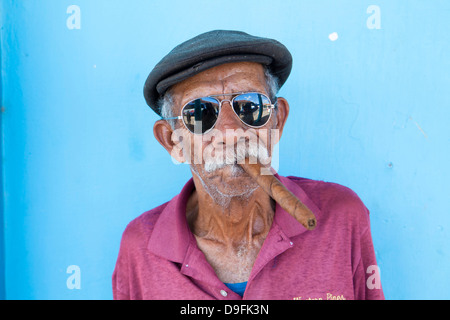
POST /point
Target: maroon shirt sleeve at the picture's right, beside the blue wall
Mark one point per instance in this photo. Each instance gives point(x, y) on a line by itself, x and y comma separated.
point(366, 278)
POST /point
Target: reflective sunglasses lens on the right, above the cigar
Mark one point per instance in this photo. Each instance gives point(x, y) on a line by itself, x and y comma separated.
point(252, 108)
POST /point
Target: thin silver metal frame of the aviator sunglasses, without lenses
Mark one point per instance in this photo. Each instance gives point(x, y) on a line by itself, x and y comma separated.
point(272, 106)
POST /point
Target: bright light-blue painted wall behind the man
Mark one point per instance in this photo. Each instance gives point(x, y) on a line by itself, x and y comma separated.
point(369, 110)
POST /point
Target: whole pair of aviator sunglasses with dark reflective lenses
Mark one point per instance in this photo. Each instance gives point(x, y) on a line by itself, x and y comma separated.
point(200, 115)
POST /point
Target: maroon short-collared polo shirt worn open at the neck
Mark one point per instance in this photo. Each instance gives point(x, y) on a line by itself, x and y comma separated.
point(159, 257)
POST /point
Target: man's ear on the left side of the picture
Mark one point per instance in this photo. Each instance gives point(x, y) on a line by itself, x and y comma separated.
point(163, 132)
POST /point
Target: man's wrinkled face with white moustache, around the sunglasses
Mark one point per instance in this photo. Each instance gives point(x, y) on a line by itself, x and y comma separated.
point(206, 153)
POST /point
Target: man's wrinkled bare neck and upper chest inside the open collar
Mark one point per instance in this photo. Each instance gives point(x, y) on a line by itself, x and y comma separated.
point(230, 236)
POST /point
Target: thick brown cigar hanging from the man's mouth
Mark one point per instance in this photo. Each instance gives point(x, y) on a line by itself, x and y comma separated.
point(286, 199)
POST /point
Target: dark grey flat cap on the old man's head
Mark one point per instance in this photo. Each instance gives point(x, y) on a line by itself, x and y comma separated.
point(209, 50)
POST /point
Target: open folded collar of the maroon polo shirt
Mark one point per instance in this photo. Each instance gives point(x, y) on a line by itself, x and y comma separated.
point(171, 236)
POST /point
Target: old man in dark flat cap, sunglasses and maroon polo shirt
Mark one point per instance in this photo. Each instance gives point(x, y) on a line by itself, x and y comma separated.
point(224, 236)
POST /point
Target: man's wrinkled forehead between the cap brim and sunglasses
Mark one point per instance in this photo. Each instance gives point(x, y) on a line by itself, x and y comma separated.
point(226, 78)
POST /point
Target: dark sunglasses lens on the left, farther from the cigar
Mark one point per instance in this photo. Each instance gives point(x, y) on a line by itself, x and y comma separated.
point(201, 114)
